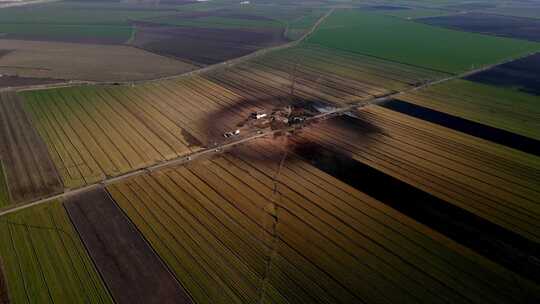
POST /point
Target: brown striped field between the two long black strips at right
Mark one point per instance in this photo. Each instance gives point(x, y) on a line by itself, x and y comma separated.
point(492, 181)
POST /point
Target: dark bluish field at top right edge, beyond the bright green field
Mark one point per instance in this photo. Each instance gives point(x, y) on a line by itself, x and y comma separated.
point(495, 25)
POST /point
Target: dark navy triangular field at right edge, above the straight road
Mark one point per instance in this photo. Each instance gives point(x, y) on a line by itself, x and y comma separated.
point(522, 74)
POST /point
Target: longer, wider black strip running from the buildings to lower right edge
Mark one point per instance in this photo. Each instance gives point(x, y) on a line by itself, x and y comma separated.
point(490, 240)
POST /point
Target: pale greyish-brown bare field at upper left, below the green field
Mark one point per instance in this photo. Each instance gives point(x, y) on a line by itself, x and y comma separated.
point(85, 61)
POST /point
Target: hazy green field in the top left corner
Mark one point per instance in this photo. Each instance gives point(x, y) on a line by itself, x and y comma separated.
point(75, 21)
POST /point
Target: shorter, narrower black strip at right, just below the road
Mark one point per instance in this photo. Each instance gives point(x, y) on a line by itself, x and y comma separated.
point(503, 137)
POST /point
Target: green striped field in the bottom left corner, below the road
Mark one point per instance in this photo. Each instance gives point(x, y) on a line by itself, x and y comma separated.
point(44, 260)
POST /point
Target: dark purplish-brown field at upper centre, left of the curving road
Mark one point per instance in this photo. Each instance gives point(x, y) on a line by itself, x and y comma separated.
point(204, 45)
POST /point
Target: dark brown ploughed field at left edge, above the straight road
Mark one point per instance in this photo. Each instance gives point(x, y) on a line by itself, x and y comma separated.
point(30, 173)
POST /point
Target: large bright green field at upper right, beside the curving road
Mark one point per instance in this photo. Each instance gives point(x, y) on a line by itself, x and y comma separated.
point(416, 44)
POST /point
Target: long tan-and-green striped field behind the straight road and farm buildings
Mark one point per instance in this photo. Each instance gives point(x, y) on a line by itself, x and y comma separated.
point(99, 131)
